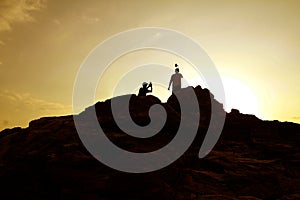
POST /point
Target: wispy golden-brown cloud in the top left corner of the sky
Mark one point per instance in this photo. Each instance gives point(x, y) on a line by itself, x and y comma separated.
point(12, 11)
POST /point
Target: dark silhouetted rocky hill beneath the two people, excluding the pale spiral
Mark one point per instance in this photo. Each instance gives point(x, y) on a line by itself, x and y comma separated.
point(253, 159)
